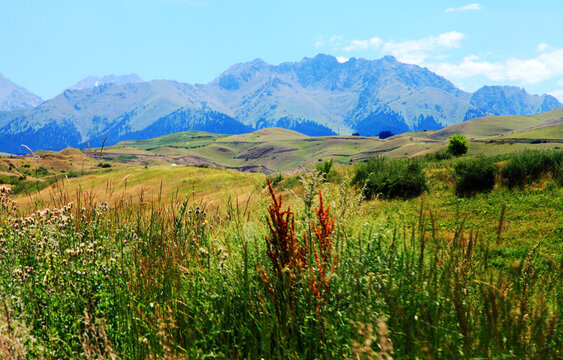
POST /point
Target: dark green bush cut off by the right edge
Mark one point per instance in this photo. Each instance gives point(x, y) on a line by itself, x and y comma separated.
point(529, 165)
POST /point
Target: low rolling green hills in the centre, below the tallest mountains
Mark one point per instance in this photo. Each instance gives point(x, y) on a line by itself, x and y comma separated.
point(272, 149)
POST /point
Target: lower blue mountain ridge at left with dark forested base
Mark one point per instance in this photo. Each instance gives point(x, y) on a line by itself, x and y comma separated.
point(82, 116)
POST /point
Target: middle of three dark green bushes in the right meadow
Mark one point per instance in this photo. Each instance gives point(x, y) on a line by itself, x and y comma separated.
point(474, 176)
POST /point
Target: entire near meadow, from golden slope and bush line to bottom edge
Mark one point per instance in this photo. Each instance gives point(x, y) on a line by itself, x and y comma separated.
point(319, 272)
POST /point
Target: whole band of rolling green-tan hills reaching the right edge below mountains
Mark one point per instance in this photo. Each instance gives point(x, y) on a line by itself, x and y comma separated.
point(276, 149)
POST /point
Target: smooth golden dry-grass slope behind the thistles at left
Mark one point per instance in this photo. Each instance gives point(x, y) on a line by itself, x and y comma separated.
point(136, 184)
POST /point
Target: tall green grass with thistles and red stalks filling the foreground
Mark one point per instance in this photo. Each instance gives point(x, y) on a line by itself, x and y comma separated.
point(172, 280)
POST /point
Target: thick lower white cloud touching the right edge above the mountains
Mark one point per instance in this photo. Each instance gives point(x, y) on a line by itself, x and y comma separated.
point(545, 66)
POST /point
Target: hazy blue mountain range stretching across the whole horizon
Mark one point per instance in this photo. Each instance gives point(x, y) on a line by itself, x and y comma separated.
point(315, 96)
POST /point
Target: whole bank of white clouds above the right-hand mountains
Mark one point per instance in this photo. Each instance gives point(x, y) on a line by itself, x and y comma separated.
point(432, 52)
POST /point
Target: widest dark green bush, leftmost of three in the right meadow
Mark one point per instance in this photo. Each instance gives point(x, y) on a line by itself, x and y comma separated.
point(397, 178)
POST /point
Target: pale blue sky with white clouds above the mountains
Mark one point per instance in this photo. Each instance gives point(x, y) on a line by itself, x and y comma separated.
point(47, 46)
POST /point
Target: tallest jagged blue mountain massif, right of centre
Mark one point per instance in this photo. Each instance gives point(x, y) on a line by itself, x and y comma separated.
point(339, 96)
